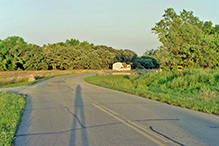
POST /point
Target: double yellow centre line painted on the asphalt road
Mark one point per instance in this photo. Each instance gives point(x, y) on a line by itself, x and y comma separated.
point(129, 125)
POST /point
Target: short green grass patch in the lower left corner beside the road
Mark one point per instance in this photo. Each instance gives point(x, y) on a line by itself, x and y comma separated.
point(11, 110)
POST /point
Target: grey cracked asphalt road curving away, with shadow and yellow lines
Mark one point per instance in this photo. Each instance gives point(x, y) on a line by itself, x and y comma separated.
point(67, 111)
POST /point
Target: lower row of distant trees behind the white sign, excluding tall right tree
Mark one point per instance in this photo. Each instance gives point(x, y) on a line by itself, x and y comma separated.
point(16, 54)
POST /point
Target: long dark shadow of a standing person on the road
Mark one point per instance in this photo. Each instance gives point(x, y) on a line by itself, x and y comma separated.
point(78, 119)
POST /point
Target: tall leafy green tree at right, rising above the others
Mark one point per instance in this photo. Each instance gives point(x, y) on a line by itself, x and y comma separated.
point(186, 41)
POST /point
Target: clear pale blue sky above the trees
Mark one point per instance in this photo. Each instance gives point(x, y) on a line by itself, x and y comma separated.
point(121, 24)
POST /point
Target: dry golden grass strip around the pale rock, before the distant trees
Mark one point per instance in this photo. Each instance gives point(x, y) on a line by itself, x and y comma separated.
point(20, 78)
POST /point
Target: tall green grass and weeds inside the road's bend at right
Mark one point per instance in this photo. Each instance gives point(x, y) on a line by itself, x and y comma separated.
point(195, 89)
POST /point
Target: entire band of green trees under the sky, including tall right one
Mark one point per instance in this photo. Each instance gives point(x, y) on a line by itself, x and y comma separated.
point(185, 40)
